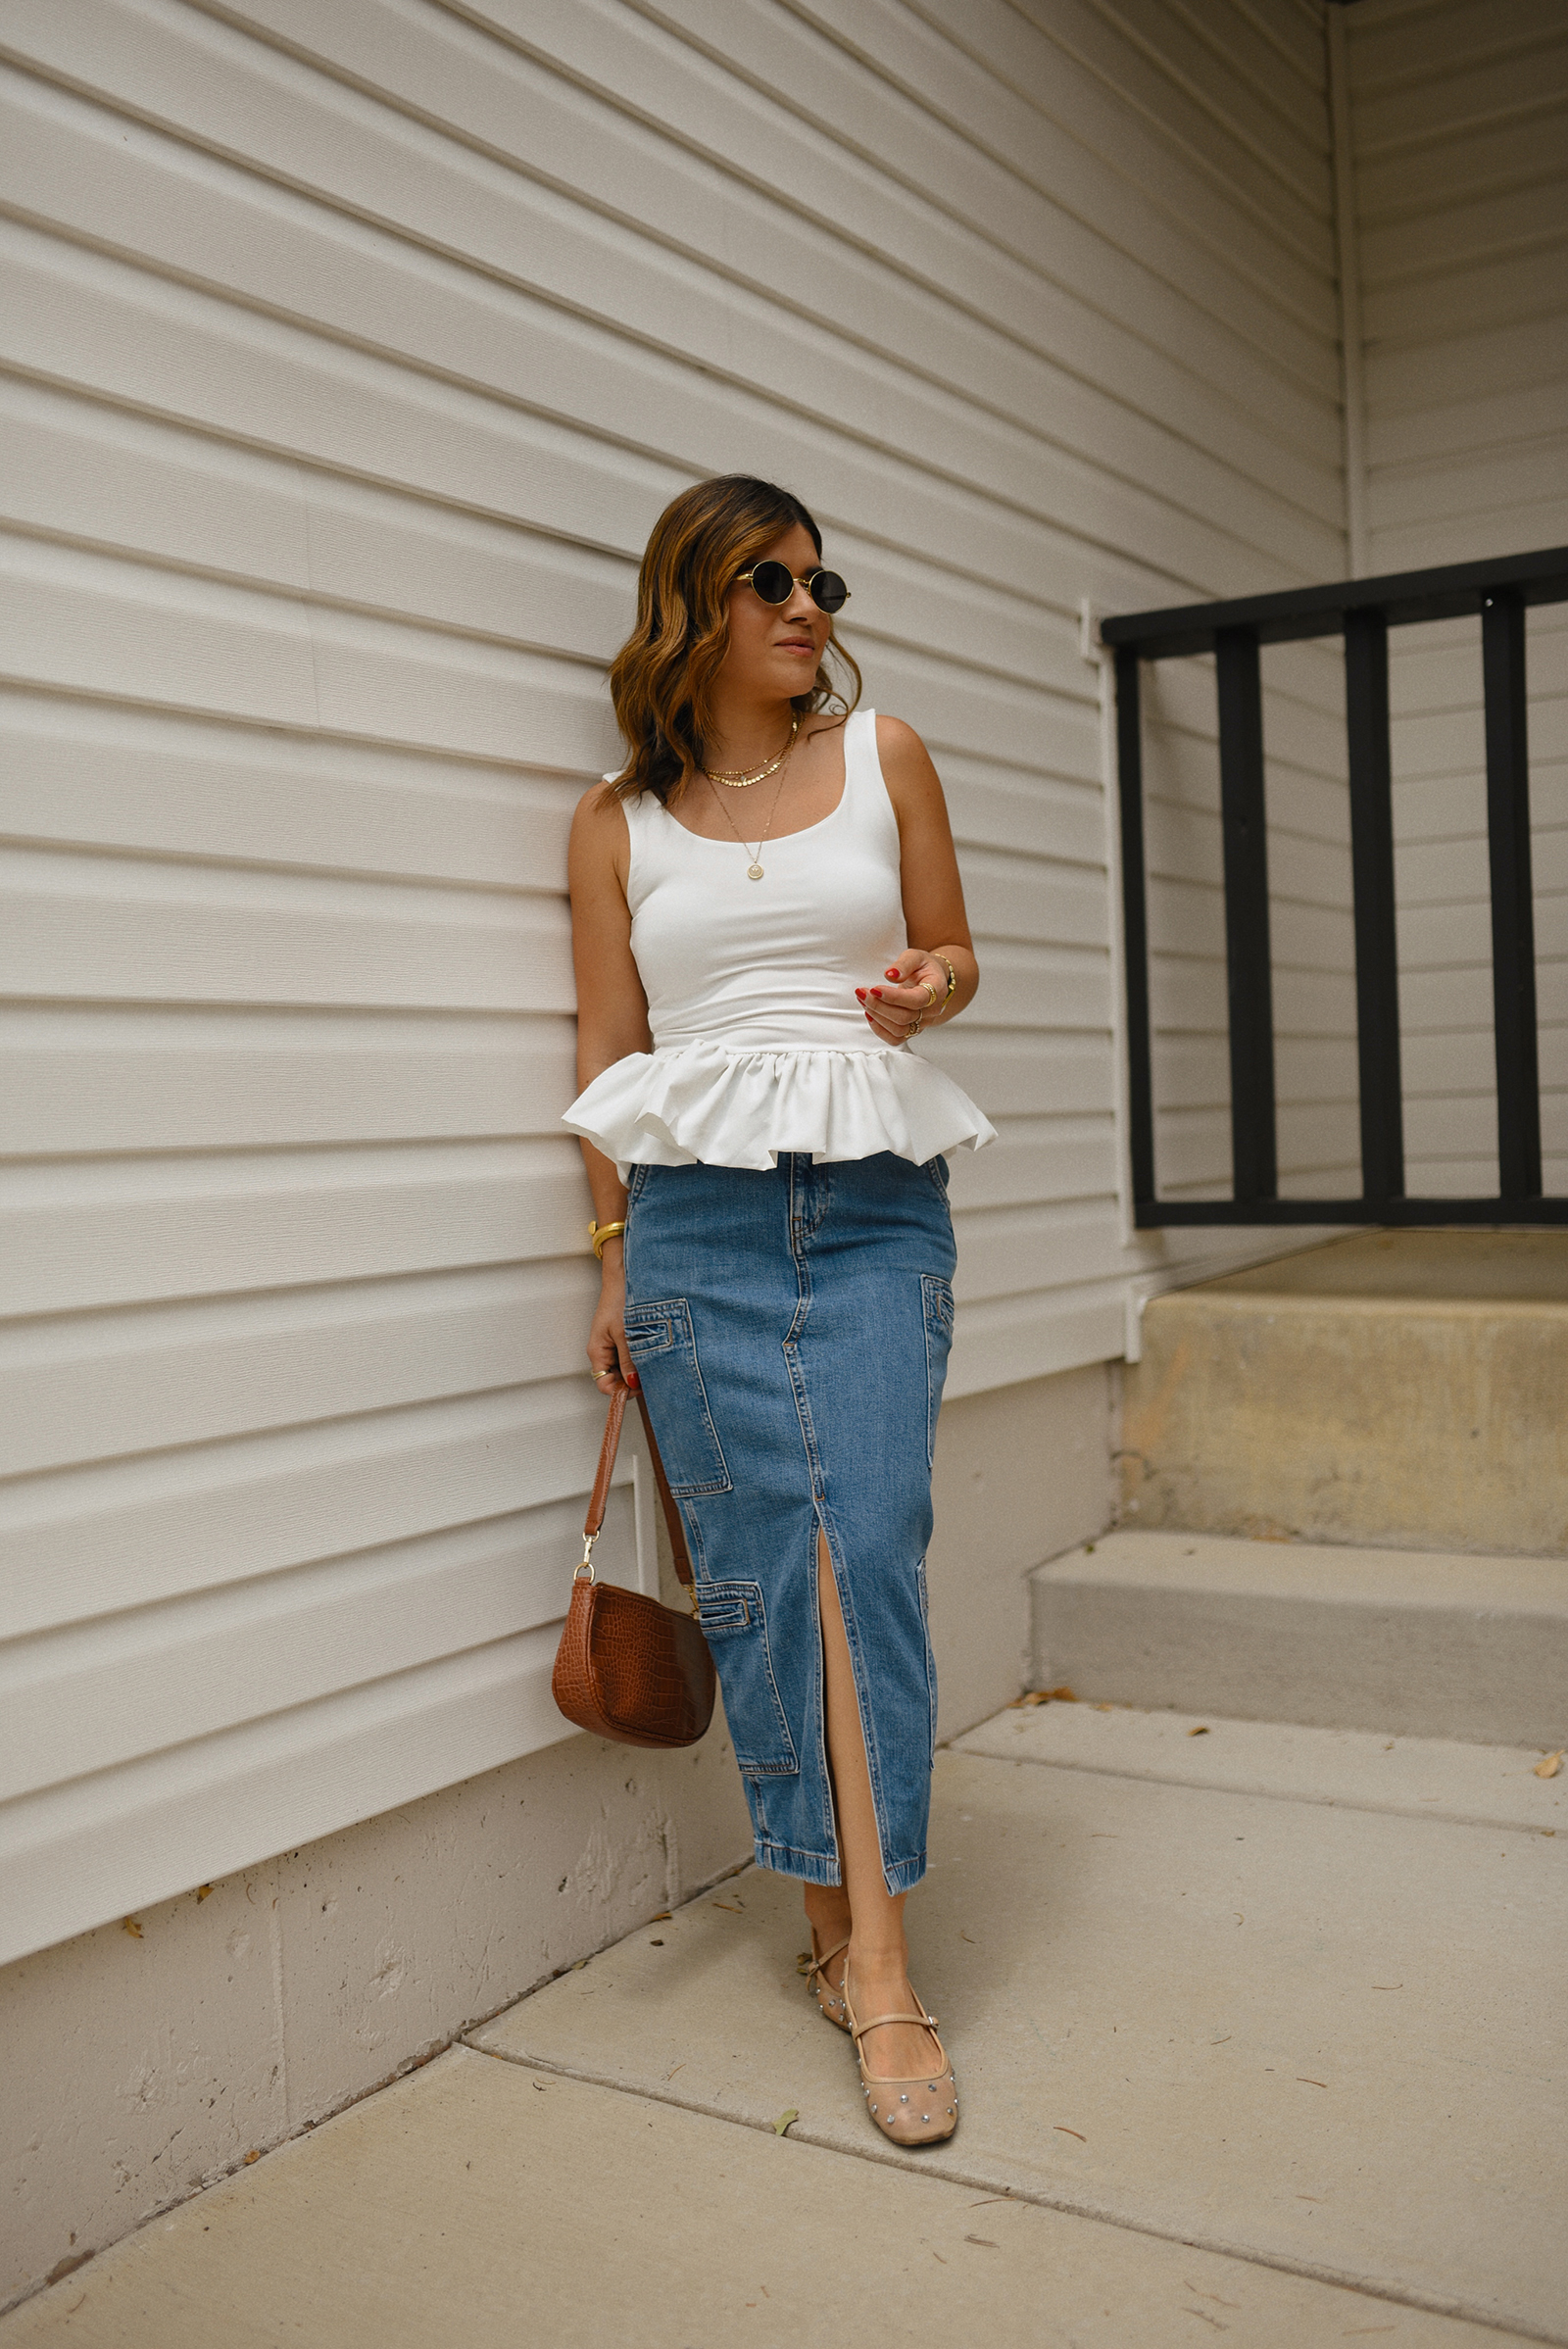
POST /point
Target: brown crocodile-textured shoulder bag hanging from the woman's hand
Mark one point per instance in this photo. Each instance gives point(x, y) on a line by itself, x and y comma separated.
point(628, 1667)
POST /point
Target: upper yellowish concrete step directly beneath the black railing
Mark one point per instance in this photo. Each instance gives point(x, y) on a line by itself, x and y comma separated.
point(1400, 1387)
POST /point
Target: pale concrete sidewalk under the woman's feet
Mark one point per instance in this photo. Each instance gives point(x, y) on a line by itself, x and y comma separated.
point(1257, 2033)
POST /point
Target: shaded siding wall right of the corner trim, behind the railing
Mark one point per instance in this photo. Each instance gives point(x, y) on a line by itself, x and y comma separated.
point(1461, 166)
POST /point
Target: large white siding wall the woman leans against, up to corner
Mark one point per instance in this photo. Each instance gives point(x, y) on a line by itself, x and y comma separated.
point(346, 356)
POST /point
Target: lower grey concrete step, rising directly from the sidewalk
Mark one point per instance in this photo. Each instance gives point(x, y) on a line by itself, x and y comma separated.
point(1405, 1643)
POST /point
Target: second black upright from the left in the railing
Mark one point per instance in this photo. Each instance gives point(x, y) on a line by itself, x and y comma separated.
point(1248, 950)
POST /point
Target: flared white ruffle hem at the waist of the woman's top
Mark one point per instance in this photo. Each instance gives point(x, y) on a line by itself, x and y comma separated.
point(705, 1105)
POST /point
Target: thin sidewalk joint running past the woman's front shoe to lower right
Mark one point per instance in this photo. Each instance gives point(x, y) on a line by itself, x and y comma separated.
point(1386, 2294)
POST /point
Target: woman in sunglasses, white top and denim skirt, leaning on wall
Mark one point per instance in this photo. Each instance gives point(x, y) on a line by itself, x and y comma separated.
point(766, 908)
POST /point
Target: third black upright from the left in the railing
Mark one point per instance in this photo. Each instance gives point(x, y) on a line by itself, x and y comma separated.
point(1372, 863)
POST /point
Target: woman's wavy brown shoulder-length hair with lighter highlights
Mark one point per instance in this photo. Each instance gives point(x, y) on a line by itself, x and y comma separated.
point(663, 678)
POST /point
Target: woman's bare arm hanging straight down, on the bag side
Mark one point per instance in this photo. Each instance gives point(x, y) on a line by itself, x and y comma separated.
point(611, 1023)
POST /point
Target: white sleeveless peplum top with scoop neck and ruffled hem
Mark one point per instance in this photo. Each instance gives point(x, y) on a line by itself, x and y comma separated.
point(759, 1044)
